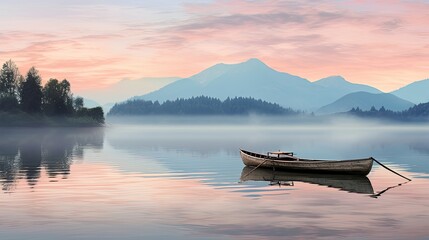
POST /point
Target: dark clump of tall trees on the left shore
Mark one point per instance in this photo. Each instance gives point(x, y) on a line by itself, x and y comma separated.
point(25, 94)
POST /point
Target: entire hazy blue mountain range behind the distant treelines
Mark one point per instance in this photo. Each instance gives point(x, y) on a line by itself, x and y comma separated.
point(255, 79)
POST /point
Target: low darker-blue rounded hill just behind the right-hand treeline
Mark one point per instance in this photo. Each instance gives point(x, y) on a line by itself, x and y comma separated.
point(365, 101)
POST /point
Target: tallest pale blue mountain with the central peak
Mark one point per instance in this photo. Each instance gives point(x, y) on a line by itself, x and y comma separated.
point(255, 79)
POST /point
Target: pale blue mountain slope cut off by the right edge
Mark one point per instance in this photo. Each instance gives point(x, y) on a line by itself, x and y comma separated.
point(416, 92)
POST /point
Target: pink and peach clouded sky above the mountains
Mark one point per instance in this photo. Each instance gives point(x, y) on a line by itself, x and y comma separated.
point(96, 43)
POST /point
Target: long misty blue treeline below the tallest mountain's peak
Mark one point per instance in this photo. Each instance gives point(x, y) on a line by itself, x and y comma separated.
point(200, 106)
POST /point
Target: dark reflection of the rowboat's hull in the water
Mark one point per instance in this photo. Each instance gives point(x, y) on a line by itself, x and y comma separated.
point(349, 183)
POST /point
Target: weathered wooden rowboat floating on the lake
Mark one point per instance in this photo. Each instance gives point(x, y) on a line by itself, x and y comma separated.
point(287, 161)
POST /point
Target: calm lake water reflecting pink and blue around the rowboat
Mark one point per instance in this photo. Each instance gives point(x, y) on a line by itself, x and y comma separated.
point(182, 181)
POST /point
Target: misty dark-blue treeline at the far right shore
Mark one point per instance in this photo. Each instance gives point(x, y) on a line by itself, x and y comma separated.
point(415, 113)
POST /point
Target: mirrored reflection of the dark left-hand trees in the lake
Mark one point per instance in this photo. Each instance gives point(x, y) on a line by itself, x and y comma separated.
point(25, 152)
